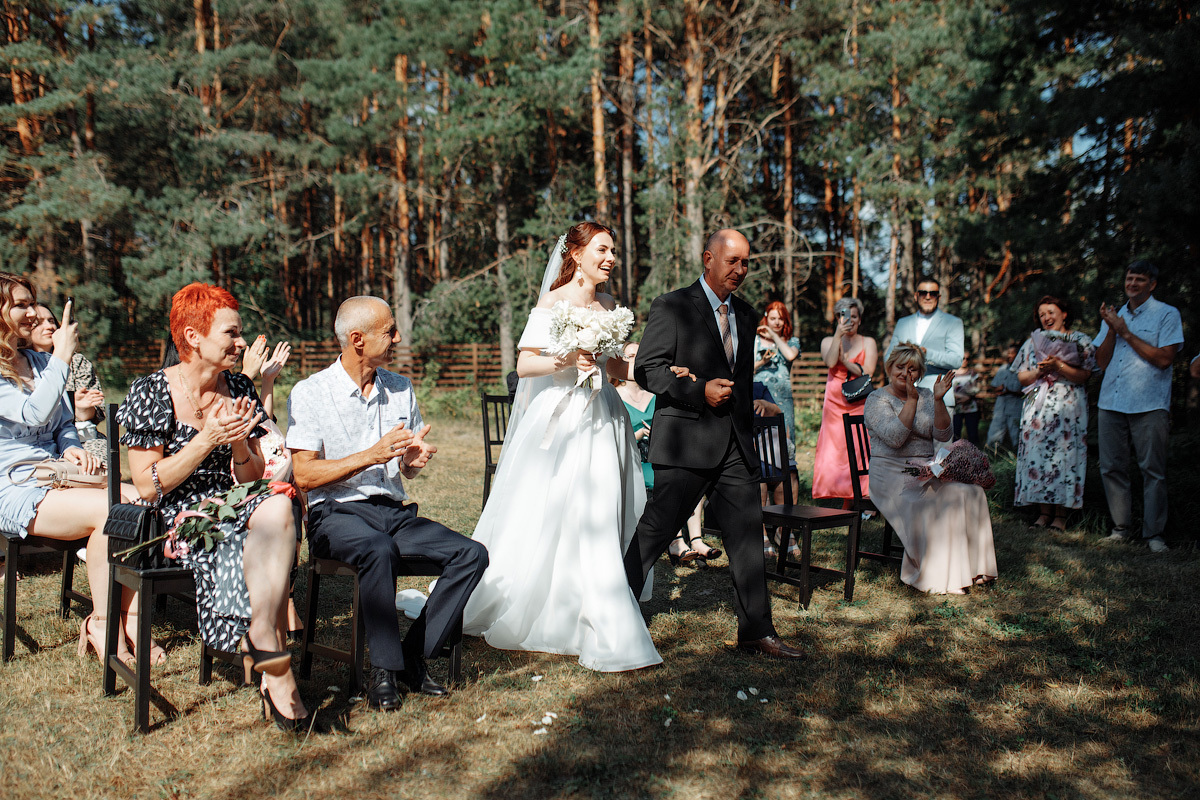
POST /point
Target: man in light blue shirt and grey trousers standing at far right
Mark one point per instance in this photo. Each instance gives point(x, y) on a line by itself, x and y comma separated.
point(1136, 347)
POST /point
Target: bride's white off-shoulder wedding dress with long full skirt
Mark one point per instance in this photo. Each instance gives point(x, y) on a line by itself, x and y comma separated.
point(567, 497)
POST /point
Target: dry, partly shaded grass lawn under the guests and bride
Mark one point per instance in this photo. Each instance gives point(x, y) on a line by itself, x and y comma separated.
point(1075, 677)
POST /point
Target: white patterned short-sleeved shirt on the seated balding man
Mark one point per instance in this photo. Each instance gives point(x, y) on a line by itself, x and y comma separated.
point(328, 414)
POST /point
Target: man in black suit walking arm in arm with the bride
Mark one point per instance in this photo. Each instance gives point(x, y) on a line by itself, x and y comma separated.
point(703, 432)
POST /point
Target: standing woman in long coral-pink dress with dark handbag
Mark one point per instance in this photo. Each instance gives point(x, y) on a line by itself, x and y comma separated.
point(849, 354)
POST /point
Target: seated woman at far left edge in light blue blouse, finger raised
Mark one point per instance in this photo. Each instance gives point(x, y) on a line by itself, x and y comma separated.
point(38, 424)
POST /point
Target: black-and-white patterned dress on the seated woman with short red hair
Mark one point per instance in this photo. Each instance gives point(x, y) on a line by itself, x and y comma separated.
point(223, 601)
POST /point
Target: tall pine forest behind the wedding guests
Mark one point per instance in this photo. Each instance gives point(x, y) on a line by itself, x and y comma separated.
point(430, 152)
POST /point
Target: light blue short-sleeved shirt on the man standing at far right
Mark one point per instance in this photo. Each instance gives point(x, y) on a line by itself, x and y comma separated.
point(1133, 386)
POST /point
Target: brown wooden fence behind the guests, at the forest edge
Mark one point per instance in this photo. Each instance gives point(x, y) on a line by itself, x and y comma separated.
point(457, 366)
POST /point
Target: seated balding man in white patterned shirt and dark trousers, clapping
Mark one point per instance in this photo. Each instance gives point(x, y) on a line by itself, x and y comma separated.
point(355, 431)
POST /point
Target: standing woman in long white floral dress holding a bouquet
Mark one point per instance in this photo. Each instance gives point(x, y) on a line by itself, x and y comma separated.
point(1052, 458)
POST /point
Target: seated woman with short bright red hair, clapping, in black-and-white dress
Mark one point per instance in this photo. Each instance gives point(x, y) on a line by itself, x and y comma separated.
point(193, 430)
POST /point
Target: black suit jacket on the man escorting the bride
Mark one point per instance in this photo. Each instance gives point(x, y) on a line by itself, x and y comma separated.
point(682, 332)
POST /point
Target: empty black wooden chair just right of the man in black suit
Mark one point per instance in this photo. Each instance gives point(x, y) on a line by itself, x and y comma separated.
point(771, 444)
